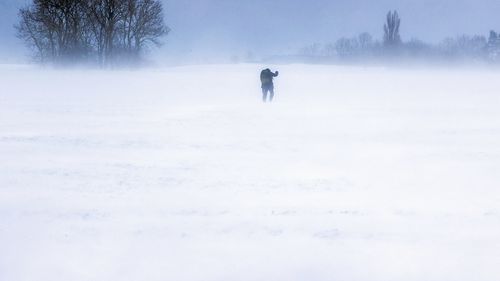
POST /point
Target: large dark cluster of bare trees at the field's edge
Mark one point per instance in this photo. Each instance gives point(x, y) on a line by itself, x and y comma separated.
point(104, 32)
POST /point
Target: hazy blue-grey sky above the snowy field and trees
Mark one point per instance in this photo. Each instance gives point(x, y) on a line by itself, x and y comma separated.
point(229, 27)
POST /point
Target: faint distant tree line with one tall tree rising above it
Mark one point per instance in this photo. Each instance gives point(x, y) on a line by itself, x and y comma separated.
point(364, 47)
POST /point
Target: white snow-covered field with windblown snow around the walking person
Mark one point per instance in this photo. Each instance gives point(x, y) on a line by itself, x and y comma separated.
point(183, 174)
